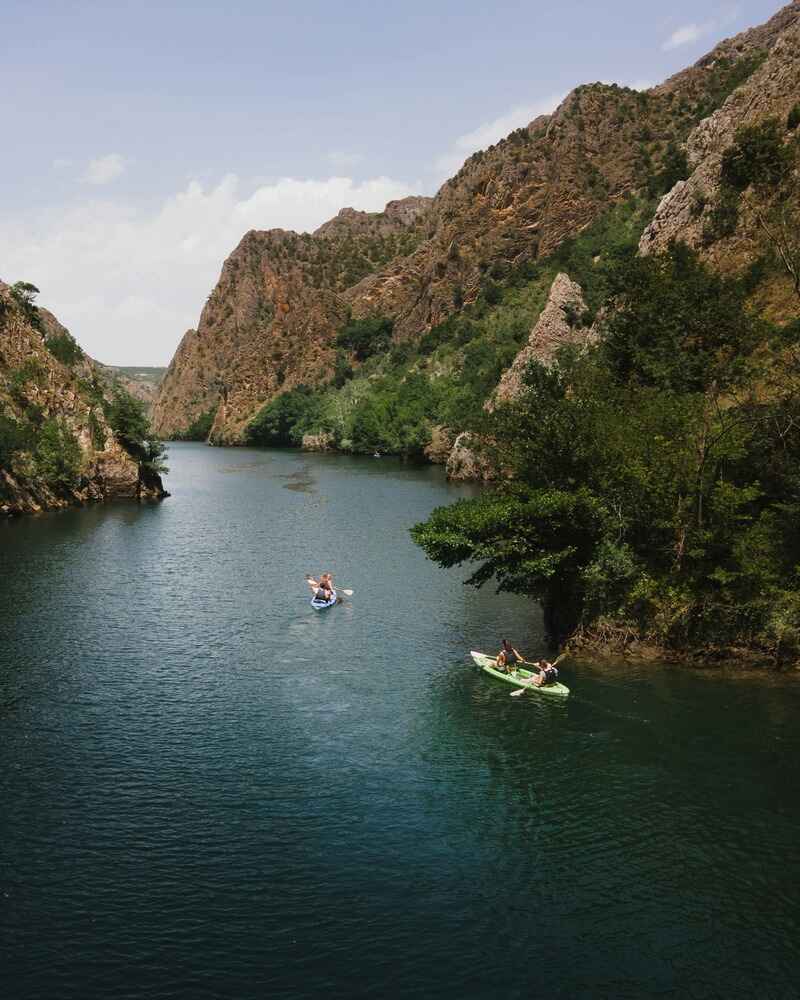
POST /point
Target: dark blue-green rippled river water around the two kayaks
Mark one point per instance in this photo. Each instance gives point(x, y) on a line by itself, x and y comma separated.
point(209, 790)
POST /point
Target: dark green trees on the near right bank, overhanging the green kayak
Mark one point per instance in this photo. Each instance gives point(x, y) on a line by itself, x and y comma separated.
point(656, 485)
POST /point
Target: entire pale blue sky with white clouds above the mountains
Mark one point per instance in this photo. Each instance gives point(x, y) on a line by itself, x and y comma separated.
point(143, 139)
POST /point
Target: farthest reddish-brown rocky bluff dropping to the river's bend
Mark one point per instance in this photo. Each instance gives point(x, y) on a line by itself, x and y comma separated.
point(269, 324)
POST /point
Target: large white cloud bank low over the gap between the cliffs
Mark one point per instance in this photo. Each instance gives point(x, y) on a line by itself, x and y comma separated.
point(129, 281)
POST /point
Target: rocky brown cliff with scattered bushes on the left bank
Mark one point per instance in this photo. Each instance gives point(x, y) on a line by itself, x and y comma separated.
point(57, 443)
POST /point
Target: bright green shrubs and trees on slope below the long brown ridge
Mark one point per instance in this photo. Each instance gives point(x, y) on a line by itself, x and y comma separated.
point(389, 398)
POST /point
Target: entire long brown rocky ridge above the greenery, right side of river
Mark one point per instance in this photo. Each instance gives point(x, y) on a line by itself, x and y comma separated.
point(271, 322)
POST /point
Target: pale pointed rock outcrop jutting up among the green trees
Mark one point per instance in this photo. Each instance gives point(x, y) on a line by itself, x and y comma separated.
point(559, 324)
